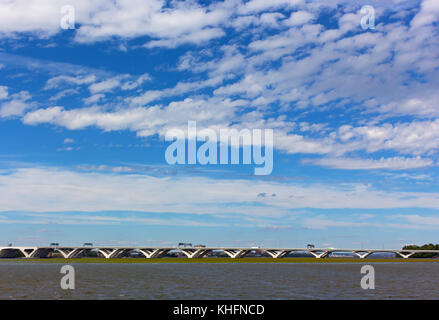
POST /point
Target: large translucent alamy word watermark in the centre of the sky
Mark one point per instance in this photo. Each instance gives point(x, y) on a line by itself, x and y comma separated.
point(252, 143)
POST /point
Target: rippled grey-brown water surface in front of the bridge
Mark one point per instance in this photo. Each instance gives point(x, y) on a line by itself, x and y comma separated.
point(29, 280)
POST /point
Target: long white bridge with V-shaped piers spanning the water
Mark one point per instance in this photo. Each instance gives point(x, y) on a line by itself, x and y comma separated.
point(148, 252)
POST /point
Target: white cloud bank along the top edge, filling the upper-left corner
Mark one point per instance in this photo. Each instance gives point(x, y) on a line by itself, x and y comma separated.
point(100, 20)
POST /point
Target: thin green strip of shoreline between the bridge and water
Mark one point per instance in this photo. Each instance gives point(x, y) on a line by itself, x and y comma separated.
point(220, 260)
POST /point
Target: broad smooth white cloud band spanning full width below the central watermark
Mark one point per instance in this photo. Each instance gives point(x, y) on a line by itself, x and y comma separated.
point(64, 190)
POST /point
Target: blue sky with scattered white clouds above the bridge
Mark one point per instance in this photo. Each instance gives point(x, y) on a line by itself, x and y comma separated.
point(84, 113)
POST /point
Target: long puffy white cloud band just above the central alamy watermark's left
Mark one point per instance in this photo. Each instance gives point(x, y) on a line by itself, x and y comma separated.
point(139, 119)
